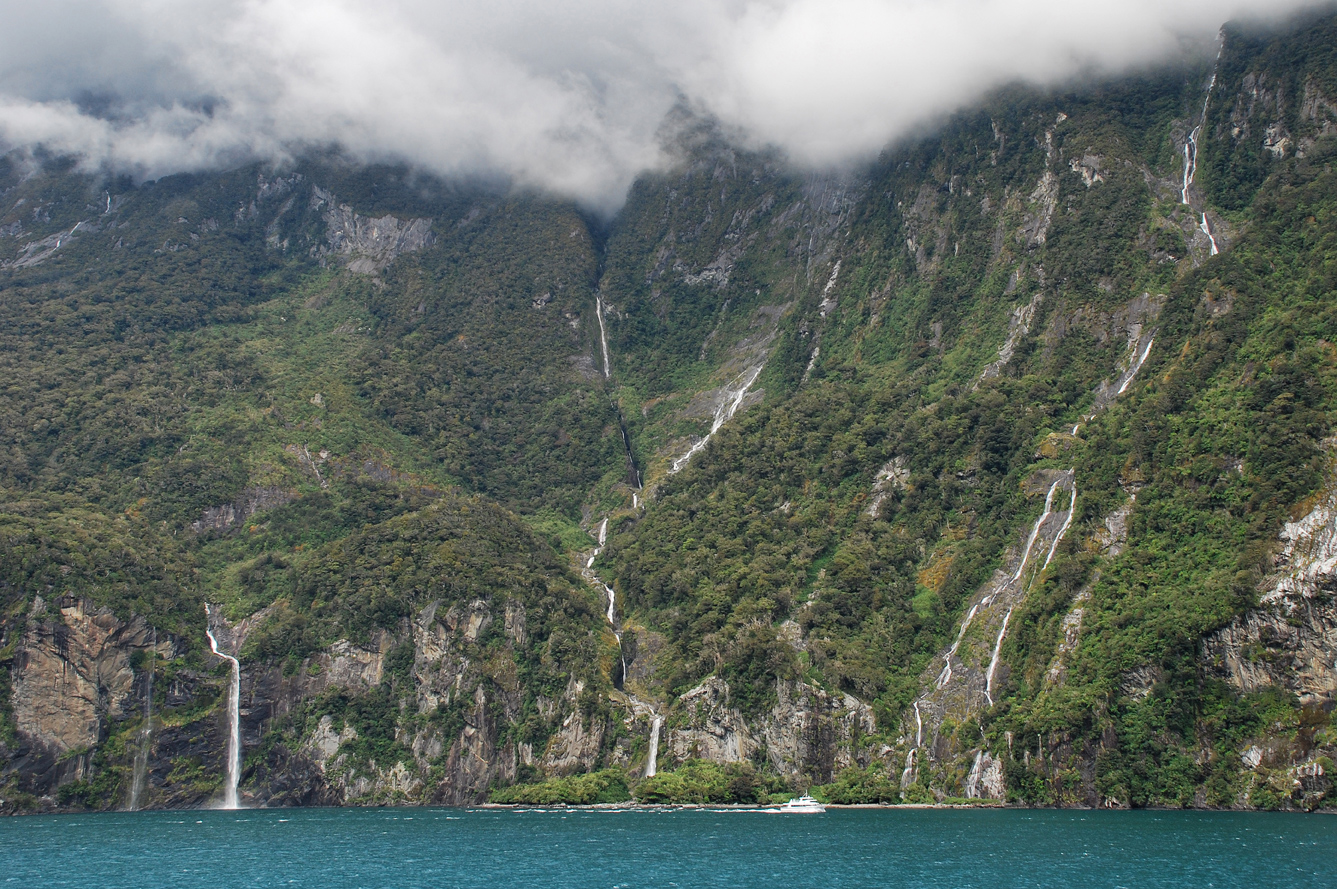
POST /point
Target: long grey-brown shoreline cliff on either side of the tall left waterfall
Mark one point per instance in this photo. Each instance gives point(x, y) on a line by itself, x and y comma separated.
point(74, 686)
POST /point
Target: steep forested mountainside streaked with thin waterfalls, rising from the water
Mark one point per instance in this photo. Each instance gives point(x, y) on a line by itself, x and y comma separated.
point(999, 469)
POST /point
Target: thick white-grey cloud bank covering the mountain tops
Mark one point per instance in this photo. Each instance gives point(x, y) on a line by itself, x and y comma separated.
point(566, 97)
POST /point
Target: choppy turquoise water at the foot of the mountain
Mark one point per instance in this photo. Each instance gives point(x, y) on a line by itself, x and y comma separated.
point(447, 848)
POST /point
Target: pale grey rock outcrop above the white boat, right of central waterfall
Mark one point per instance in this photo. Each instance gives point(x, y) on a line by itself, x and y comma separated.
point(808, 732)
